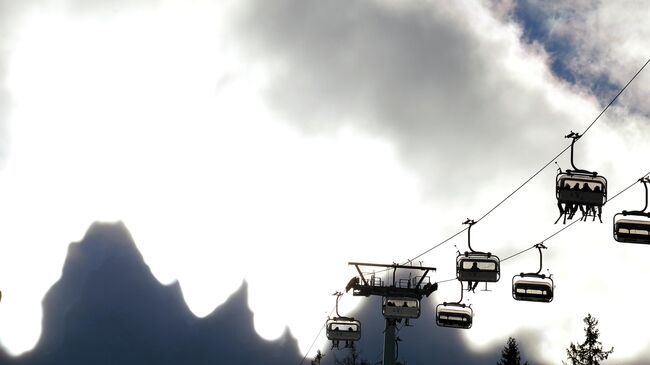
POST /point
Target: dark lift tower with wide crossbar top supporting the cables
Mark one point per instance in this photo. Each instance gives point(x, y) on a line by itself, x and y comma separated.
point(400, 297)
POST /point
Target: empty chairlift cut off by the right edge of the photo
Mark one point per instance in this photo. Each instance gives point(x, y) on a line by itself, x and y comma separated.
point(634, 226)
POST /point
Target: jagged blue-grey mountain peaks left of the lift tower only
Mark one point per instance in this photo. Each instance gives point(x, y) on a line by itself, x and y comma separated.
point(108, 308)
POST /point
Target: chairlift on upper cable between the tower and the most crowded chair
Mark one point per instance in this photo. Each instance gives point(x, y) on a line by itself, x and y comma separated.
point(477, 266)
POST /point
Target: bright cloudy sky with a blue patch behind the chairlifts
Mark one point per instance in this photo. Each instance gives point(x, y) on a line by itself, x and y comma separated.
point(274, 142)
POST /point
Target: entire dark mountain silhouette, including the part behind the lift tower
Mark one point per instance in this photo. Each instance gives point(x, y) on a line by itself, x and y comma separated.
point(108, 308)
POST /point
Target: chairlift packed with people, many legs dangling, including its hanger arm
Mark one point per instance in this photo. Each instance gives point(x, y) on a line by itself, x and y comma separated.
point(579, 188)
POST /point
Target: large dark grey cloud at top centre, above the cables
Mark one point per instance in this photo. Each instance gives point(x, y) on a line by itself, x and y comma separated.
point(411, 73)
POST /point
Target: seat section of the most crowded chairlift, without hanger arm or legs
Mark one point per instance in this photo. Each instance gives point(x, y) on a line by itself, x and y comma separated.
point(569, 188)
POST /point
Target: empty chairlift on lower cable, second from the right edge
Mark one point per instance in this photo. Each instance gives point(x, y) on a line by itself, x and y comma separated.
point(533, 287)
